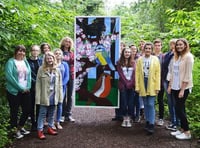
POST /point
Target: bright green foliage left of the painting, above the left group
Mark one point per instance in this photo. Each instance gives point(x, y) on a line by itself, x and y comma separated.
point(23, 23)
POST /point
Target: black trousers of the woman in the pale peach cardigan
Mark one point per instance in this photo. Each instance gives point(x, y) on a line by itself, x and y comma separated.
point(180, 108)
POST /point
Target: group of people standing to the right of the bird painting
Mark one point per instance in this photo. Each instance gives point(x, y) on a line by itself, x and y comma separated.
point(145, 75)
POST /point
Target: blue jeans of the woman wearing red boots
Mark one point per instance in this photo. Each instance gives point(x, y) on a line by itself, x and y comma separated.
point(42, 115)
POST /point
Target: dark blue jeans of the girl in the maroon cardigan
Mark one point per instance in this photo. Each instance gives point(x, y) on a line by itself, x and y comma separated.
point(127, 102)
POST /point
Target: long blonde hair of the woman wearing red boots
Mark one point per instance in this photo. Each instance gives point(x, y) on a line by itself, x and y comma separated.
point(45, 66)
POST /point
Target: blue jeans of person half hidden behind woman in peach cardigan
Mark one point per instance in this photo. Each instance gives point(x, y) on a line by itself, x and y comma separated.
point(171, 105)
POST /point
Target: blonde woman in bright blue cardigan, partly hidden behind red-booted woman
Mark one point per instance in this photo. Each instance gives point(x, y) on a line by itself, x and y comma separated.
point(64, 69)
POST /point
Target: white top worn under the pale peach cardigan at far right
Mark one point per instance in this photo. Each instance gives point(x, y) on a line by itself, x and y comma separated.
point(176, 75)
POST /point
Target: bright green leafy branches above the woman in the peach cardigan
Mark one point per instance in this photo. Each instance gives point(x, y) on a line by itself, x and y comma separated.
point(185, 24)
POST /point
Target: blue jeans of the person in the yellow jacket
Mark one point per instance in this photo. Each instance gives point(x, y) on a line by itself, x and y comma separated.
point(149, 108)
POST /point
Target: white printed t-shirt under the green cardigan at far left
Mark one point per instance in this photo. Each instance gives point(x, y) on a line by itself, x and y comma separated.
point(22, 72)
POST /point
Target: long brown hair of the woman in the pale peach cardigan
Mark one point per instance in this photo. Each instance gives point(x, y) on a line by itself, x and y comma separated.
point(186, 50)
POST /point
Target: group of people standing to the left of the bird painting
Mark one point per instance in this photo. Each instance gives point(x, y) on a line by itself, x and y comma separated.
point(42, 86)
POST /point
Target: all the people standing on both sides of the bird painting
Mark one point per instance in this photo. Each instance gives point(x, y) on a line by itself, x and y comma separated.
point(43, 86)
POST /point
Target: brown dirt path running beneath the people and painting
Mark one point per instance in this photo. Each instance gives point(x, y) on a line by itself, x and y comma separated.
point(94, 129)
